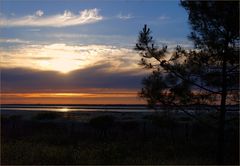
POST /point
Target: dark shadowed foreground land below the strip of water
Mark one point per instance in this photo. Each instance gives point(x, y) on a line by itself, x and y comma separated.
point(114, 138)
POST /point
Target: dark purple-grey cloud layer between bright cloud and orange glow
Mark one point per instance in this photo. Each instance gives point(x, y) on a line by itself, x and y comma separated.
point(28, 80)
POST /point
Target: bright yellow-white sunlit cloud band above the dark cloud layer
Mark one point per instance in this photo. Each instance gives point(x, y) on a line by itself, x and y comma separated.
point(65, 58)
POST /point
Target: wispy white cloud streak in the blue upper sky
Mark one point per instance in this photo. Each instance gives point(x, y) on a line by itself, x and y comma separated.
point(68, 18)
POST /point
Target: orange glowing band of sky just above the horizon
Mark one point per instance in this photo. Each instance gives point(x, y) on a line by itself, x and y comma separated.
point(71, 98)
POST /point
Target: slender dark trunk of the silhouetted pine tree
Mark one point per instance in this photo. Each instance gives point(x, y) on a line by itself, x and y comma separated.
point(221, 124)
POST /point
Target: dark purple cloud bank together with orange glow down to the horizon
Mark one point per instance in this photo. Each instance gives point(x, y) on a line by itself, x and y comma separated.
point(85, 86)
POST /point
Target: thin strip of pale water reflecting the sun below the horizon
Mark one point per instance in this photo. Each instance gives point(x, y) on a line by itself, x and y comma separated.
point(102, 108)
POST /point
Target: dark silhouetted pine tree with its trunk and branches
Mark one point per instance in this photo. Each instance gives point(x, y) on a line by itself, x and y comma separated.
point(208, 74)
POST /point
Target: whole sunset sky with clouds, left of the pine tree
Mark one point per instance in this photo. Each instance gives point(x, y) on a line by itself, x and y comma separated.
point(81, 52)
